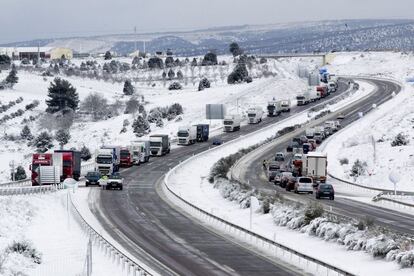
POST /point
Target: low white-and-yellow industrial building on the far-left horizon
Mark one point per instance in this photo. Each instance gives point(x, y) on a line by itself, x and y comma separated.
point(34, 52)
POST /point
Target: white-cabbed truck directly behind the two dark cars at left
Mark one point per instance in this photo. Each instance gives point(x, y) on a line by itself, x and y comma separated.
point(108, 159)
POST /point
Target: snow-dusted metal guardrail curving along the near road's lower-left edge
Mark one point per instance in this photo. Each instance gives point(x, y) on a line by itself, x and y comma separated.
point(127, 264)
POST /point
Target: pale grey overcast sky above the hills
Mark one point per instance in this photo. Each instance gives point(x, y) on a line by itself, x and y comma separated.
point(29, 19)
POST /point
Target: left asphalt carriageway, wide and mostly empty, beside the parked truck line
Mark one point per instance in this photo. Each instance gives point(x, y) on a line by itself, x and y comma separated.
point(165, 239)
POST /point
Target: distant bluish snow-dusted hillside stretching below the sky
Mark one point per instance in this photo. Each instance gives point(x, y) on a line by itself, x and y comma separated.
point(343, 35)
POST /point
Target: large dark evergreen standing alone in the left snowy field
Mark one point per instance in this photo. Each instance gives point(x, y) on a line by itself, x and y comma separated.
point(62, 95)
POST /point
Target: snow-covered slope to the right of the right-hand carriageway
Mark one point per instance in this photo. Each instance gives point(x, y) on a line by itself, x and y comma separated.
point(381, 126)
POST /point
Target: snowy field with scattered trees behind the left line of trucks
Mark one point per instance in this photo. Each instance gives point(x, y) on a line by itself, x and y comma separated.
point(32, 86)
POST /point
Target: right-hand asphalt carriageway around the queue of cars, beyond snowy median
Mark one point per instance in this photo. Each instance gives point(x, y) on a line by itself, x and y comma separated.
point(391, 219)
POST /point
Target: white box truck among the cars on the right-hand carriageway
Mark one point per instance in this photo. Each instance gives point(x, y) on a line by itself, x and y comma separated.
point(315, 164)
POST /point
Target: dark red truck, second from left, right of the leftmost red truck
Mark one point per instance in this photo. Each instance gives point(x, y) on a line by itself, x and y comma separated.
point(69, 162)
